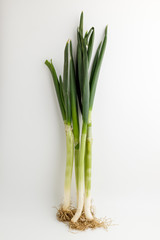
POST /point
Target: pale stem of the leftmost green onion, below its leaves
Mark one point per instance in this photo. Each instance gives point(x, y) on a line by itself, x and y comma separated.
point(69, 166)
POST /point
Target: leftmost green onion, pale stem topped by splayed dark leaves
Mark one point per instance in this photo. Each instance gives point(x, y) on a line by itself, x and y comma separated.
point(63, 90)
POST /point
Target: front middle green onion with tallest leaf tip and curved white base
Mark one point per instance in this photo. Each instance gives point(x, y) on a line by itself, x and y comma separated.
point(83, 78)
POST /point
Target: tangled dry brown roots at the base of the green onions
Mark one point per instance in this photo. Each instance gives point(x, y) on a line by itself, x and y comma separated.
point(82, 224)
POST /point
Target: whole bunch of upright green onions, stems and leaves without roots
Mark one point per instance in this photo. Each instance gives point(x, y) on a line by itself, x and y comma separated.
point(75, 93)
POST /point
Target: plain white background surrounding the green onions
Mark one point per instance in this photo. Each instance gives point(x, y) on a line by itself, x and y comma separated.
point(126, 118)
